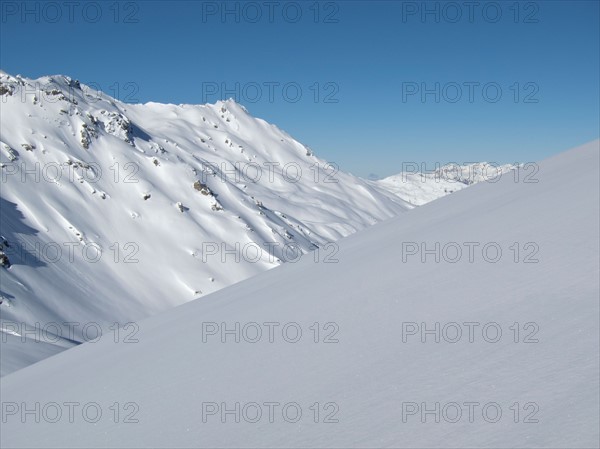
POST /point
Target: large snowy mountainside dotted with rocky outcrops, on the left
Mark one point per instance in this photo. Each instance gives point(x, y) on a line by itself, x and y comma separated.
point(112, 212)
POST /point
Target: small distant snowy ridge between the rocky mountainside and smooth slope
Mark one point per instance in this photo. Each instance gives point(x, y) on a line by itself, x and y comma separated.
point(420, 188)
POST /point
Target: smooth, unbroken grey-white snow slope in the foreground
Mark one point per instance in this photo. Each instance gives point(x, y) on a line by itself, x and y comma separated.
point(366, 367)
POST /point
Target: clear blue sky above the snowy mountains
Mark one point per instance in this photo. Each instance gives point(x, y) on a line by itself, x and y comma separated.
point(513, 81)
